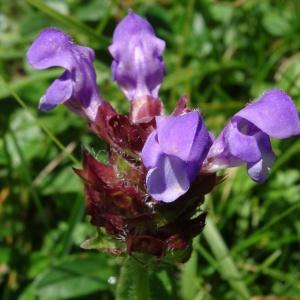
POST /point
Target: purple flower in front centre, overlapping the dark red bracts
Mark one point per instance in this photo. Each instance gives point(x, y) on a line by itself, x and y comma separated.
point(174, 153)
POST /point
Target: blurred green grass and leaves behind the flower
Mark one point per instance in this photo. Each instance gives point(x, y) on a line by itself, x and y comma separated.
point(219, 53)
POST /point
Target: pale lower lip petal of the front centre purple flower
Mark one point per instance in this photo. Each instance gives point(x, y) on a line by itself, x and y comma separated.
point(169, 180)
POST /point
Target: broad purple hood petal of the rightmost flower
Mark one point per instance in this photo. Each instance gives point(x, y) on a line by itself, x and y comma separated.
point(274, 113)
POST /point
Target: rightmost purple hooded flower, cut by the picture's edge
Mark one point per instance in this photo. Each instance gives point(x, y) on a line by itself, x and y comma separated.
point(246, 138)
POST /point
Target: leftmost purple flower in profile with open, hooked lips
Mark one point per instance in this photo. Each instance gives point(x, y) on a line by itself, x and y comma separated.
point(76, 87)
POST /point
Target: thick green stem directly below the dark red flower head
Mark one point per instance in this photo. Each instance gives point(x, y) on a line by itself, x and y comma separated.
point(133, 281)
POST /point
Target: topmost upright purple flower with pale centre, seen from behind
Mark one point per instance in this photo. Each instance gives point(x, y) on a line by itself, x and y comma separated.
point(137, 67)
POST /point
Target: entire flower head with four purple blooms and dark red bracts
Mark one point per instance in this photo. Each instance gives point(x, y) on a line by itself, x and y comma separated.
point(147, 198)
